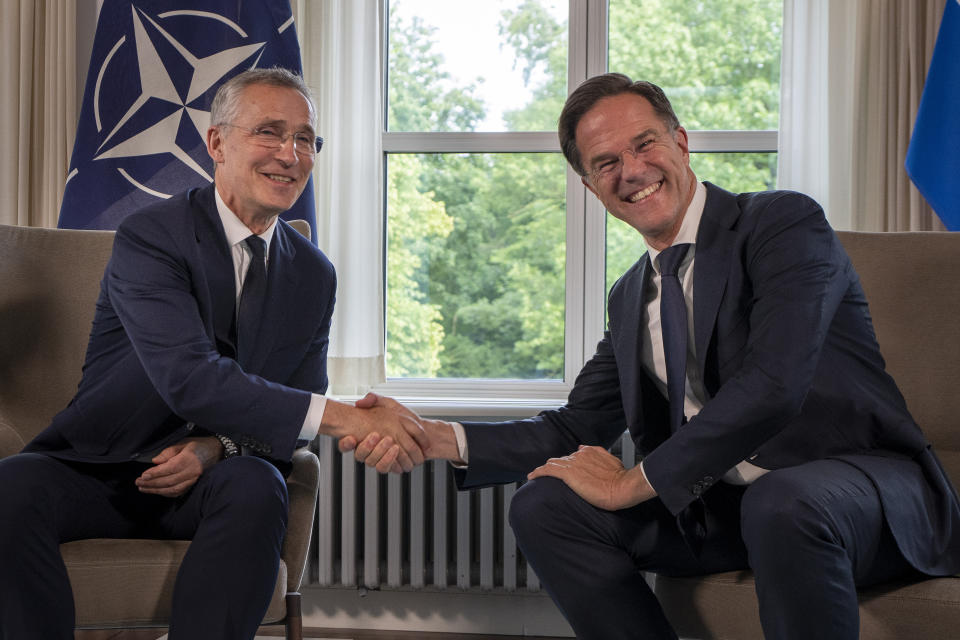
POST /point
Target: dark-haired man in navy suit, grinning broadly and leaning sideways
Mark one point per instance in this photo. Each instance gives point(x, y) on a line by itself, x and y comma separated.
point(776, 440)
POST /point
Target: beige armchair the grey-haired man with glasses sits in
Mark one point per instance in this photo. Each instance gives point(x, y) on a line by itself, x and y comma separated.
point(50, 283)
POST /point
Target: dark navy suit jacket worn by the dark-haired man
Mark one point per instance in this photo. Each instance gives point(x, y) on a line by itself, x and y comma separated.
point(791, 365)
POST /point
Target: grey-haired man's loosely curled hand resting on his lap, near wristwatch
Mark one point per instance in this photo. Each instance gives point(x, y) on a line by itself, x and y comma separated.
point(179, 466)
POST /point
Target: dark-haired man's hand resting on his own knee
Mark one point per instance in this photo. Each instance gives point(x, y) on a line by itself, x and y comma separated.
point(598, 477)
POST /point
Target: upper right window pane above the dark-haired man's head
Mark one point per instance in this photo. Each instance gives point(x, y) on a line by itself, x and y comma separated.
point(717, 60)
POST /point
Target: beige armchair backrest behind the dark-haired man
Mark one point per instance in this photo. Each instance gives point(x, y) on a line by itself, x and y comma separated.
point(912, 282)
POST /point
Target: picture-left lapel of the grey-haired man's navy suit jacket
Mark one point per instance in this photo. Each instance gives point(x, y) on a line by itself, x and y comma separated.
point(215, 254)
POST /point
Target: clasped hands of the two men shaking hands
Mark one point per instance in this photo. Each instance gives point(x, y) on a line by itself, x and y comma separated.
point(387, 436)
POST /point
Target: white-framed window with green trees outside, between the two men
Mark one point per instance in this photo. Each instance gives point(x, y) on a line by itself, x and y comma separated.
point(498, 260)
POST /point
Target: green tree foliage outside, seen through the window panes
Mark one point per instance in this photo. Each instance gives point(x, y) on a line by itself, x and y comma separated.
point(476, 251)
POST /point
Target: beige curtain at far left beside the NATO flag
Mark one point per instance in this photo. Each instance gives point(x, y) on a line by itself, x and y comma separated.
point(38, 116)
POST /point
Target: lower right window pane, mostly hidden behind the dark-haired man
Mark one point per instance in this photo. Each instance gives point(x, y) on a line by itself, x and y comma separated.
point(736, 172)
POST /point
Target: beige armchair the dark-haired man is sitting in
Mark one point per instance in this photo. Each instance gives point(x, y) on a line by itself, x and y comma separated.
point(912, 282)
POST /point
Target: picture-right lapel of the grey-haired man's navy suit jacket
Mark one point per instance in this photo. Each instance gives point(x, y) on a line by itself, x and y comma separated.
point(282, 280)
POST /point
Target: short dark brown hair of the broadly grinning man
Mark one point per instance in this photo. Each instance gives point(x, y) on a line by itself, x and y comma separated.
point(592, 91)
